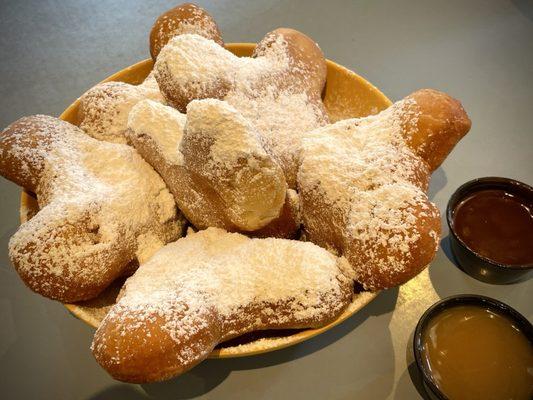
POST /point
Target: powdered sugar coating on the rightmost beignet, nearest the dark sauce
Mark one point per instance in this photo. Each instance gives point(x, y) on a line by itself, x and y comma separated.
point(364, 171)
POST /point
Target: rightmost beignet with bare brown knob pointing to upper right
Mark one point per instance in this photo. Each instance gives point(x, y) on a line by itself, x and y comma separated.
point(362, 184)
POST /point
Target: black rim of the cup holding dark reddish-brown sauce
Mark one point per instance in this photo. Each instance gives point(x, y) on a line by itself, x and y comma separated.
point(457, 197)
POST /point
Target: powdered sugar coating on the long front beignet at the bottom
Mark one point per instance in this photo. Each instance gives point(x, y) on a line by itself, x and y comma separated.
point(212, 277)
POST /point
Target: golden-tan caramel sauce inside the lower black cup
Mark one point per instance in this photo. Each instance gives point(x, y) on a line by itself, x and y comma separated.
point(477, 353)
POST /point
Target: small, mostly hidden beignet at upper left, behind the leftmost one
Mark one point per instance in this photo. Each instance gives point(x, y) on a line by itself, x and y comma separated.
point(104, 109)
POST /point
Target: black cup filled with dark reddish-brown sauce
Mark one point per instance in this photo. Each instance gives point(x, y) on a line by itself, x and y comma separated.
point(491, 229)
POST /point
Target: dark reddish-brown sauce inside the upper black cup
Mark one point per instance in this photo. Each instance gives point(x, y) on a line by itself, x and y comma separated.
point(496, 225)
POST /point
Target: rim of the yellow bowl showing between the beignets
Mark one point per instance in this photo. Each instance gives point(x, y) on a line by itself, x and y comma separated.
point(358, 301)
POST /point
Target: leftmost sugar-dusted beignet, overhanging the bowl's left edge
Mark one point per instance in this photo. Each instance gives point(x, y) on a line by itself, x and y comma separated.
point(101, 207)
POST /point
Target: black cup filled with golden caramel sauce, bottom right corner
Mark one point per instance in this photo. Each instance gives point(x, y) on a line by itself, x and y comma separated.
point(474, 347)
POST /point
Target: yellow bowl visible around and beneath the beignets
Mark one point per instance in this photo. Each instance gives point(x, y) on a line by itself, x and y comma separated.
point(347, 95)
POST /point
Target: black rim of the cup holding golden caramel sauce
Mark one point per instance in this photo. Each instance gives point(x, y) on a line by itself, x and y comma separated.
point(453, 301)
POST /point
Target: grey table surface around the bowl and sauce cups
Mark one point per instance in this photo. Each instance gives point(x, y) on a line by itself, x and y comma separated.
point(479, 51)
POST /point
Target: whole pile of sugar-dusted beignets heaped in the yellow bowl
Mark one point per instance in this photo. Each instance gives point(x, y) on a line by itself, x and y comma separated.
point(288, 212)
